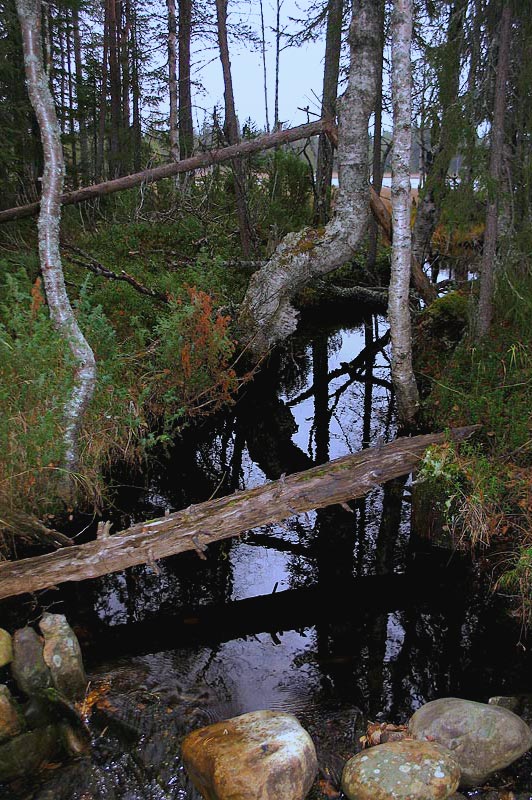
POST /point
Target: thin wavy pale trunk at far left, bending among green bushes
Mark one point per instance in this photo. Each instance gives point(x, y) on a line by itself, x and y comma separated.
point(29, 12)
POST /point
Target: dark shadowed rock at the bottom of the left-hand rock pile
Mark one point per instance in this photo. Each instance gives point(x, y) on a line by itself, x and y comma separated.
point(28, 752)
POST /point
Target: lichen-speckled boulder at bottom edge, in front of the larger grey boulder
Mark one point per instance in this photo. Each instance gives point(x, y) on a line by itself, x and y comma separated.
point(404, 770)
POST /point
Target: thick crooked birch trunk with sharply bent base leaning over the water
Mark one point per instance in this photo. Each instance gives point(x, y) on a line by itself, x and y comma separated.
point(268, 315)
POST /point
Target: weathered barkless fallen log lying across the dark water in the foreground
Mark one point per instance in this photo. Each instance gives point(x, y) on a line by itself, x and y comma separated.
point(198, 526)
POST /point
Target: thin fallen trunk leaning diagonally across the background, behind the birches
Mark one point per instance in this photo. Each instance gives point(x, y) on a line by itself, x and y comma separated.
point(206, 159)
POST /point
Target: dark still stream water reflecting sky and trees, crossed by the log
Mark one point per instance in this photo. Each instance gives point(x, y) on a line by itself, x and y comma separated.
point(337, 616)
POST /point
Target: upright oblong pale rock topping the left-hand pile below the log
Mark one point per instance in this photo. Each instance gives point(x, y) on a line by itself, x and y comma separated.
point(62, 654)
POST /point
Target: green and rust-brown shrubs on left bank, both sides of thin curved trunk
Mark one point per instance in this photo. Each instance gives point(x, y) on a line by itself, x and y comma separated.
point(148, 384)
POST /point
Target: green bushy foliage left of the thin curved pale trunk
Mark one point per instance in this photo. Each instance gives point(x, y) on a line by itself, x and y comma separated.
point(35, 379)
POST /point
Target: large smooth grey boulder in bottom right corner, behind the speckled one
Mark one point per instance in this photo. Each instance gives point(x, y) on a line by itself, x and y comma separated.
point(482, 738)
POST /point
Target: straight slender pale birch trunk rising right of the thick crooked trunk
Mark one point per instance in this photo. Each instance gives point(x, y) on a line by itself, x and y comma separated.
point(398, 307)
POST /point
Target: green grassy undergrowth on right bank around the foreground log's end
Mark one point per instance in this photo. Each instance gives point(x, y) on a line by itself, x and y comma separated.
point(484, 490)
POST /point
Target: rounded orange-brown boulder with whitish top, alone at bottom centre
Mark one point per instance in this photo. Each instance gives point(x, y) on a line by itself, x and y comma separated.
point(264, 754)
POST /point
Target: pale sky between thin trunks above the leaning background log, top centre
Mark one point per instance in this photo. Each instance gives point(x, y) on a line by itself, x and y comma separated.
point(301, 70)
